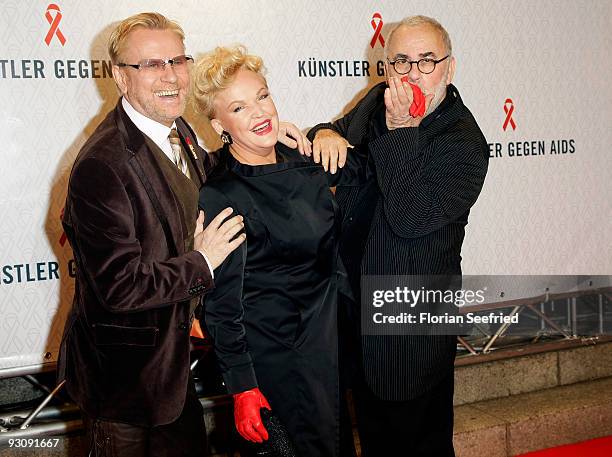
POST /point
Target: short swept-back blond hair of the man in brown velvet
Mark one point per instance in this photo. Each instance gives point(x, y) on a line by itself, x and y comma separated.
point(151, 21)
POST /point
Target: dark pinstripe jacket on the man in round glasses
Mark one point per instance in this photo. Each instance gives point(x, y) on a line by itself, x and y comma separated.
point(427, 179)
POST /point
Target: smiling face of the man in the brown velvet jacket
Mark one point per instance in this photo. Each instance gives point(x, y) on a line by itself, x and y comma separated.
point(159, 95)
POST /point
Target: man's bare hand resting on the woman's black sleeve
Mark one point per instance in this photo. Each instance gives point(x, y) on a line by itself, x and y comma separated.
point(216, 241)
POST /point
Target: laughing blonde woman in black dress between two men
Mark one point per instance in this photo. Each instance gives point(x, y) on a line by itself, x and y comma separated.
point(272, 315)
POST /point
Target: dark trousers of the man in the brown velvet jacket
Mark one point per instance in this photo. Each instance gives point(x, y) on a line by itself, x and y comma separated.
point(185, 437)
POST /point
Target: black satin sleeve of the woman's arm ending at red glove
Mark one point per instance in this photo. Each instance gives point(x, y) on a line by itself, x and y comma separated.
point(223, 310)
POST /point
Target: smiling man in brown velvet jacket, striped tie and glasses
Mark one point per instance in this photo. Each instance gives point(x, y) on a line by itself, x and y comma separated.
point(142, 259)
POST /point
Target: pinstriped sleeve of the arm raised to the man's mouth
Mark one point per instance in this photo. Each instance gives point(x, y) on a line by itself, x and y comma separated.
point(422, 194)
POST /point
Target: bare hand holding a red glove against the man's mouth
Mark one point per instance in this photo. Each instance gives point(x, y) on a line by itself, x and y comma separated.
point(398, 99)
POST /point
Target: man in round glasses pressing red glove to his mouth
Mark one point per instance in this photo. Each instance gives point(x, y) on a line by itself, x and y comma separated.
point(426, 168)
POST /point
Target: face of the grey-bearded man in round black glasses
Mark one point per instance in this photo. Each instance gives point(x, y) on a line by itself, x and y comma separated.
point(417, 42)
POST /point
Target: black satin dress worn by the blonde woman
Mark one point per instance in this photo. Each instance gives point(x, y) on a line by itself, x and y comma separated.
point(273, 312)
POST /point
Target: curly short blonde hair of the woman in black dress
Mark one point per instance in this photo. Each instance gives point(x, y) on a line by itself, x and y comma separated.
point(216, 70)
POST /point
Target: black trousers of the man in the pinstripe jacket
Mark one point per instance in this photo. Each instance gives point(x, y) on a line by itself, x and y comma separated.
point(421, 427)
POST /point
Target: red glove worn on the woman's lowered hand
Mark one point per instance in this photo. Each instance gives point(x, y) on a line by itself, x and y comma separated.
point(247, 417)
